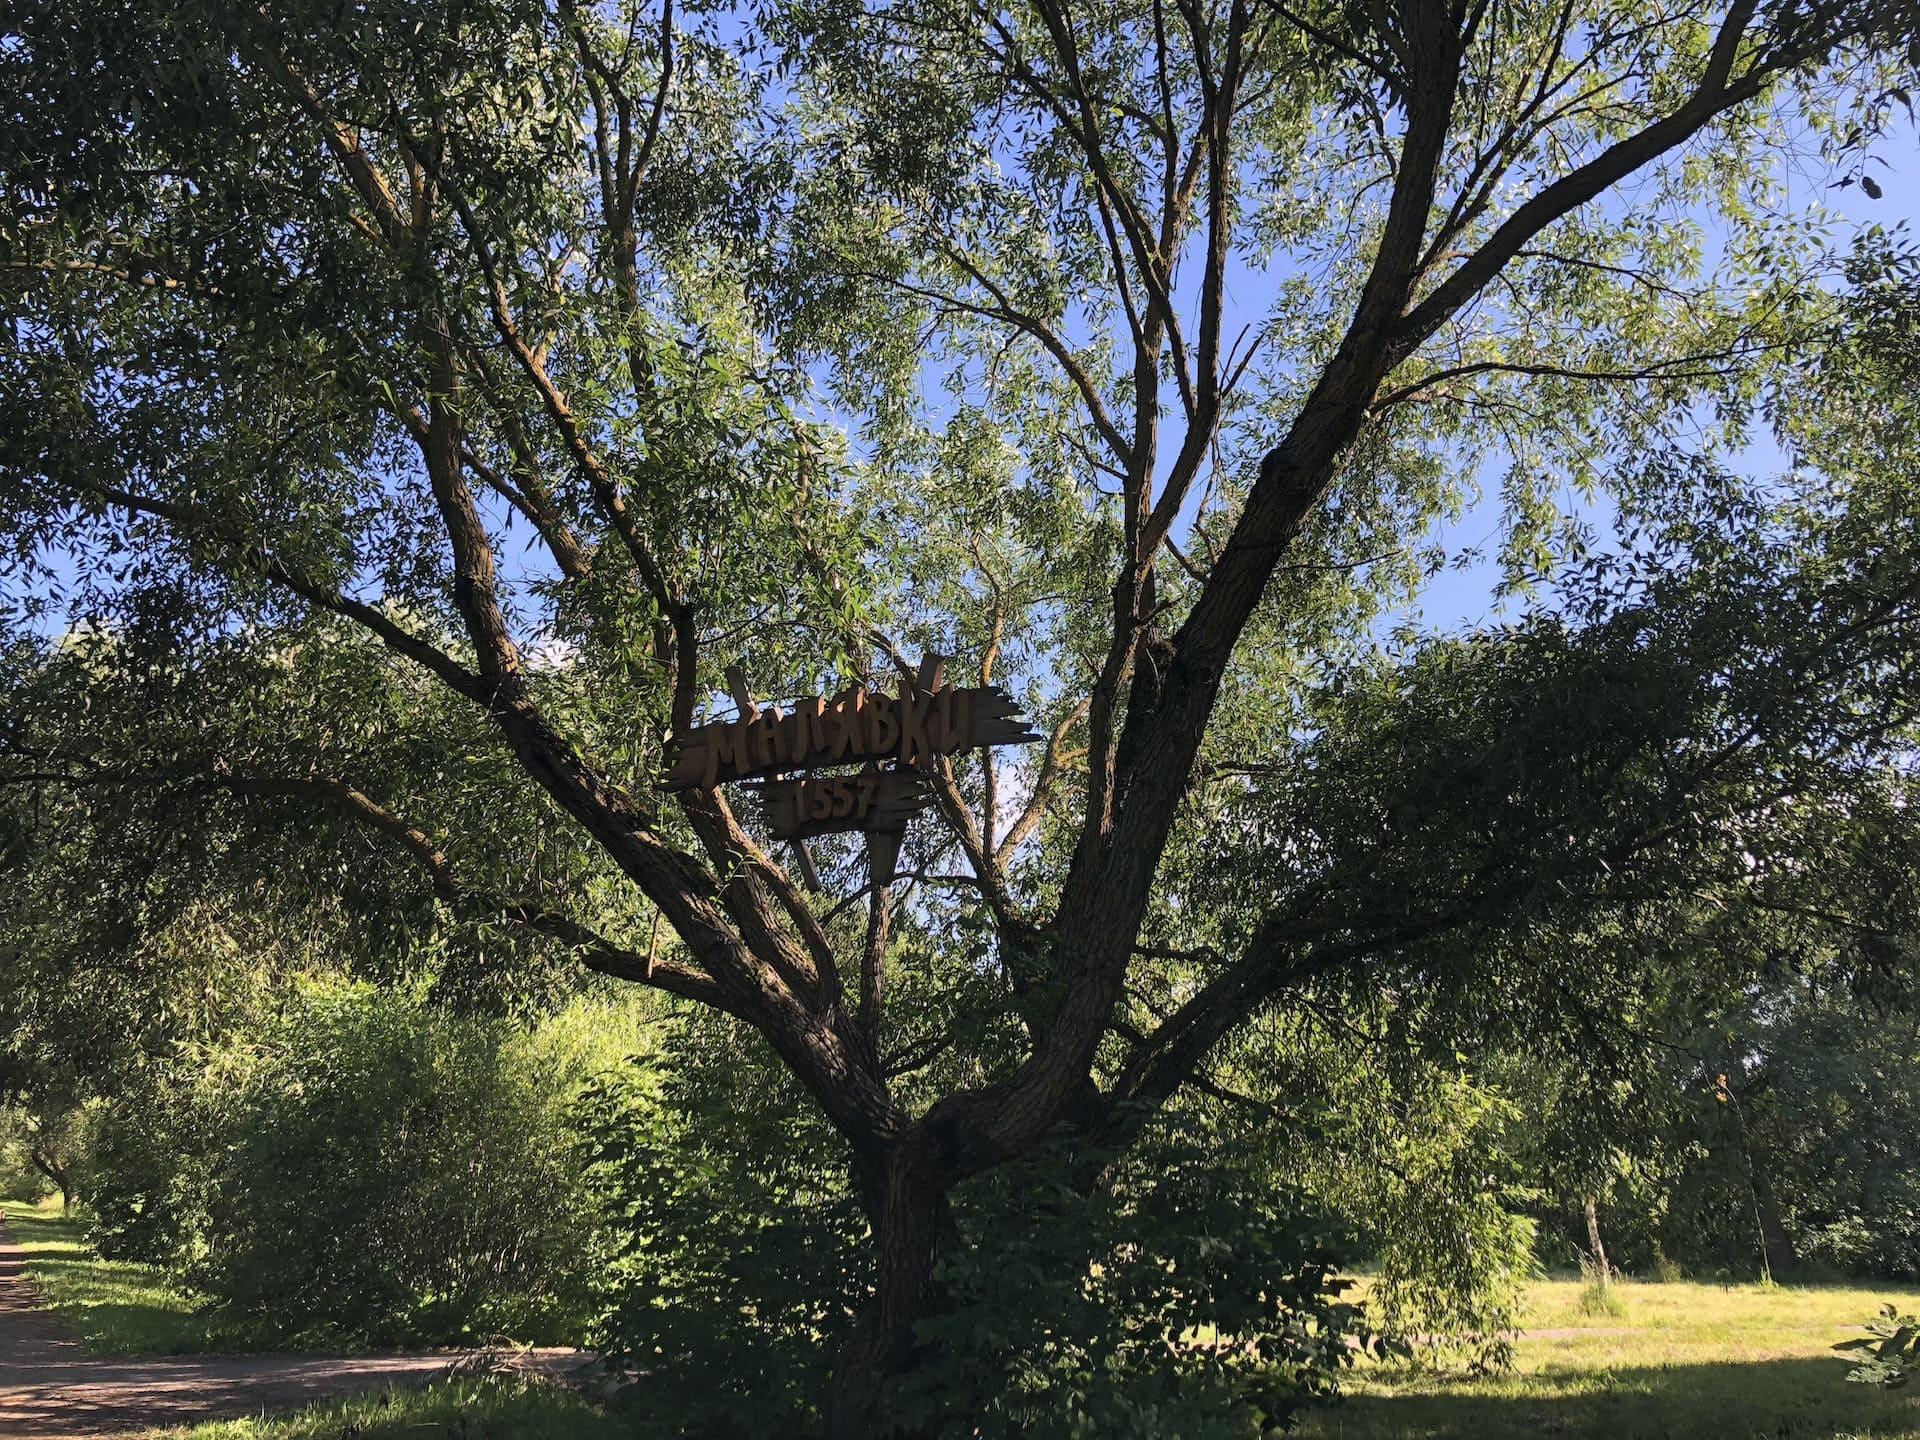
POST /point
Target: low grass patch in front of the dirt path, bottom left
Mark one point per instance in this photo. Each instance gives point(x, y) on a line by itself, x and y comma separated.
point(458, 1410)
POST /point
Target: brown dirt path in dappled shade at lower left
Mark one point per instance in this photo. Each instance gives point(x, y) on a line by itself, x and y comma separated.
point(51, 1389)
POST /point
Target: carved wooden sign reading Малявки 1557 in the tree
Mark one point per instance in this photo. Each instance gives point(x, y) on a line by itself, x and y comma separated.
point(888, 742)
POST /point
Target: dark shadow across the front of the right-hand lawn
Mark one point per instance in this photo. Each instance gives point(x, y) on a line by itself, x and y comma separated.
point(1760, 1401)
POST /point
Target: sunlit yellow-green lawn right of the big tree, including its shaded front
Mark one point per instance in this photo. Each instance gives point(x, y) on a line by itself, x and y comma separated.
point(1681, 1362)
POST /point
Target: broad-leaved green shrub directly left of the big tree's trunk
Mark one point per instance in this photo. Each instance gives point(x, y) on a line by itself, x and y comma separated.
point(732, 1245)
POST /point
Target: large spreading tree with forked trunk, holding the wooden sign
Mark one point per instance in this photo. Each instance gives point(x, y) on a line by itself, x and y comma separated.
point(834, 333)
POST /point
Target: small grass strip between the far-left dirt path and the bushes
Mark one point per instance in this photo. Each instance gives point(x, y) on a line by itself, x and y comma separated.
point(114, 1307)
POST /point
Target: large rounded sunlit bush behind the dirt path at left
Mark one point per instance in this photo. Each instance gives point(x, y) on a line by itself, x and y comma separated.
point(368, 1168)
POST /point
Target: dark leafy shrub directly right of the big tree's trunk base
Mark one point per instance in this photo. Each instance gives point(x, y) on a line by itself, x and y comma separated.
point(1186, 1295)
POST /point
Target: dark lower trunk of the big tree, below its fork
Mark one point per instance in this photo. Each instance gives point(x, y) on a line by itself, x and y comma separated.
point(909, 1212)
